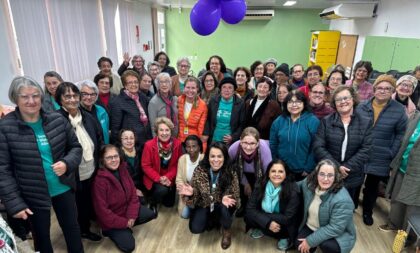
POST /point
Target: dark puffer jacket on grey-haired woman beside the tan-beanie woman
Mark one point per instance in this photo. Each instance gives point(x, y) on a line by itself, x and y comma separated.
point(329, 140)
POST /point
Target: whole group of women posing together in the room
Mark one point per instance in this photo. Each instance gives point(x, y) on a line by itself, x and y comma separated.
point(284, 148)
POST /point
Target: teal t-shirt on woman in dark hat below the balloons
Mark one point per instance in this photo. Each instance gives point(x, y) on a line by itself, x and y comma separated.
point(223, 119)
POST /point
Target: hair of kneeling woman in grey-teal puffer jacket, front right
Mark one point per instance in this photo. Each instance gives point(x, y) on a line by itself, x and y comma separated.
point(312, 179)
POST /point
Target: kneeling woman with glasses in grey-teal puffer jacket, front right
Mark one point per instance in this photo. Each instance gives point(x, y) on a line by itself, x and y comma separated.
point(328, 212)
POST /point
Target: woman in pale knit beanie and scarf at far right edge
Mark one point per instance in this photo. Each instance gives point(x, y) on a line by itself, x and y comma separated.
point(405, 87)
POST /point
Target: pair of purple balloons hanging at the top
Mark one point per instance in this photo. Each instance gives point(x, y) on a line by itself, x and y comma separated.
point(205, 15)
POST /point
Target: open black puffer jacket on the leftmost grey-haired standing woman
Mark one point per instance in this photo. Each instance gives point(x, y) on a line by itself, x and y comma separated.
point(22, 179)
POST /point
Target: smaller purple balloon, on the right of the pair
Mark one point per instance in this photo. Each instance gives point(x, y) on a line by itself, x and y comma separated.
point(233, 11)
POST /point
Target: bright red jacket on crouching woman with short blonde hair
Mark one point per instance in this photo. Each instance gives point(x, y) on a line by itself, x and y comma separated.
point(150, 162)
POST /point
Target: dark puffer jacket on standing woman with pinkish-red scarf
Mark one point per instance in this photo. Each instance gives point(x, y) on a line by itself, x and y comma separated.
point(125, 114)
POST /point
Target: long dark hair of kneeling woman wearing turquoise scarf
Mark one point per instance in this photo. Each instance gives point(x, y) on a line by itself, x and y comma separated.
point(286, 185)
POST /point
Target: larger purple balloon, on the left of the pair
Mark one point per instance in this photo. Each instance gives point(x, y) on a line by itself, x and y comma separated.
point(205, 17)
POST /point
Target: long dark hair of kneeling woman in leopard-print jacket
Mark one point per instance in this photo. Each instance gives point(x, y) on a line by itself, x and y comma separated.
point(226, 171)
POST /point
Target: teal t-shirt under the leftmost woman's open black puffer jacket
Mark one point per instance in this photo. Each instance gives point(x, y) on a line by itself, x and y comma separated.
point(55, 187)
